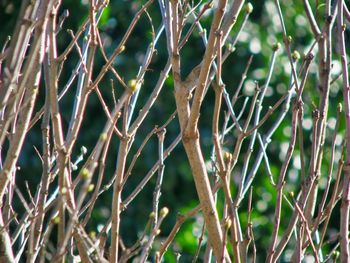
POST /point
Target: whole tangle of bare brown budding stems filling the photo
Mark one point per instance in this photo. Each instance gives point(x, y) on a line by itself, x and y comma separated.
point(54, 225)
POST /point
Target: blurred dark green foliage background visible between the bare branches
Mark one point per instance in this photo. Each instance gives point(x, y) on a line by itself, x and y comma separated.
point(178, 191)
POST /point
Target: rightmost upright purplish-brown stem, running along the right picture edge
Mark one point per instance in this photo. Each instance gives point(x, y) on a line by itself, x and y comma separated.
point(345, 207)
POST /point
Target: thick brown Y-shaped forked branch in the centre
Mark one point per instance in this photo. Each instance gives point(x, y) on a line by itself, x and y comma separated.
point(190, 135)
